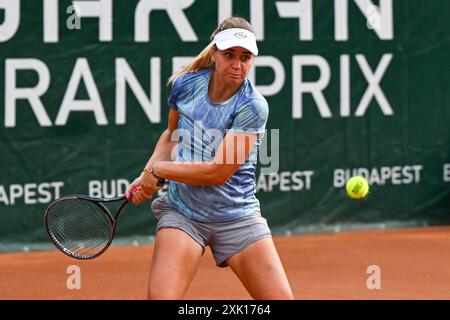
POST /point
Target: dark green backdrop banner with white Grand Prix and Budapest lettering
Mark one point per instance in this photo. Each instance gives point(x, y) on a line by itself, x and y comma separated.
point(354, 87)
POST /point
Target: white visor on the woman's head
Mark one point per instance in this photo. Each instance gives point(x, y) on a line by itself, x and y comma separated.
point(236, 37)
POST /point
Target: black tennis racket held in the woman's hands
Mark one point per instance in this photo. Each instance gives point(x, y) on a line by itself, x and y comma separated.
point(82, 227)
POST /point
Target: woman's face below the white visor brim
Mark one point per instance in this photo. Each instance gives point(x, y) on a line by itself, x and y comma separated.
point(233, 64)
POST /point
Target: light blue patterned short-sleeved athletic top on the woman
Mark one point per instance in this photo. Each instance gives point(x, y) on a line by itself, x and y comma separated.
point(202, 125)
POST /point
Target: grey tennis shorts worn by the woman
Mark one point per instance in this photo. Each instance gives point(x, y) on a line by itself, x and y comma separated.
point(224, 238)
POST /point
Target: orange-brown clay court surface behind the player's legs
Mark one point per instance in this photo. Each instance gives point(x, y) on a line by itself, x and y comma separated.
point(414, 264)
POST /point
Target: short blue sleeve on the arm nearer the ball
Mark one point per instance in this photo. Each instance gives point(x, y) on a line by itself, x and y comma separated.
point(251, 117)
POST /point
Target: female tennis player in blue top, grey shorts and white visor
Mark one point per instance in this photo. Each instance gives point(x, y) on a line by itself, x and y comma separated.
point(216, 119)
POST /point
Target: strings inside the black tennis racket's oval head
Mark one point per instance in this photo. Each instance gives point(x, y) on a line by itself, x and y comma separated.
point(79, 226)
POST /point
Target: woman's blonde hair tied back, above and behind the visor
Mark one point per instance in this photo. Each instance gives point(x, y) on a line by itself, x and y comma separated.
point(203, 59)
